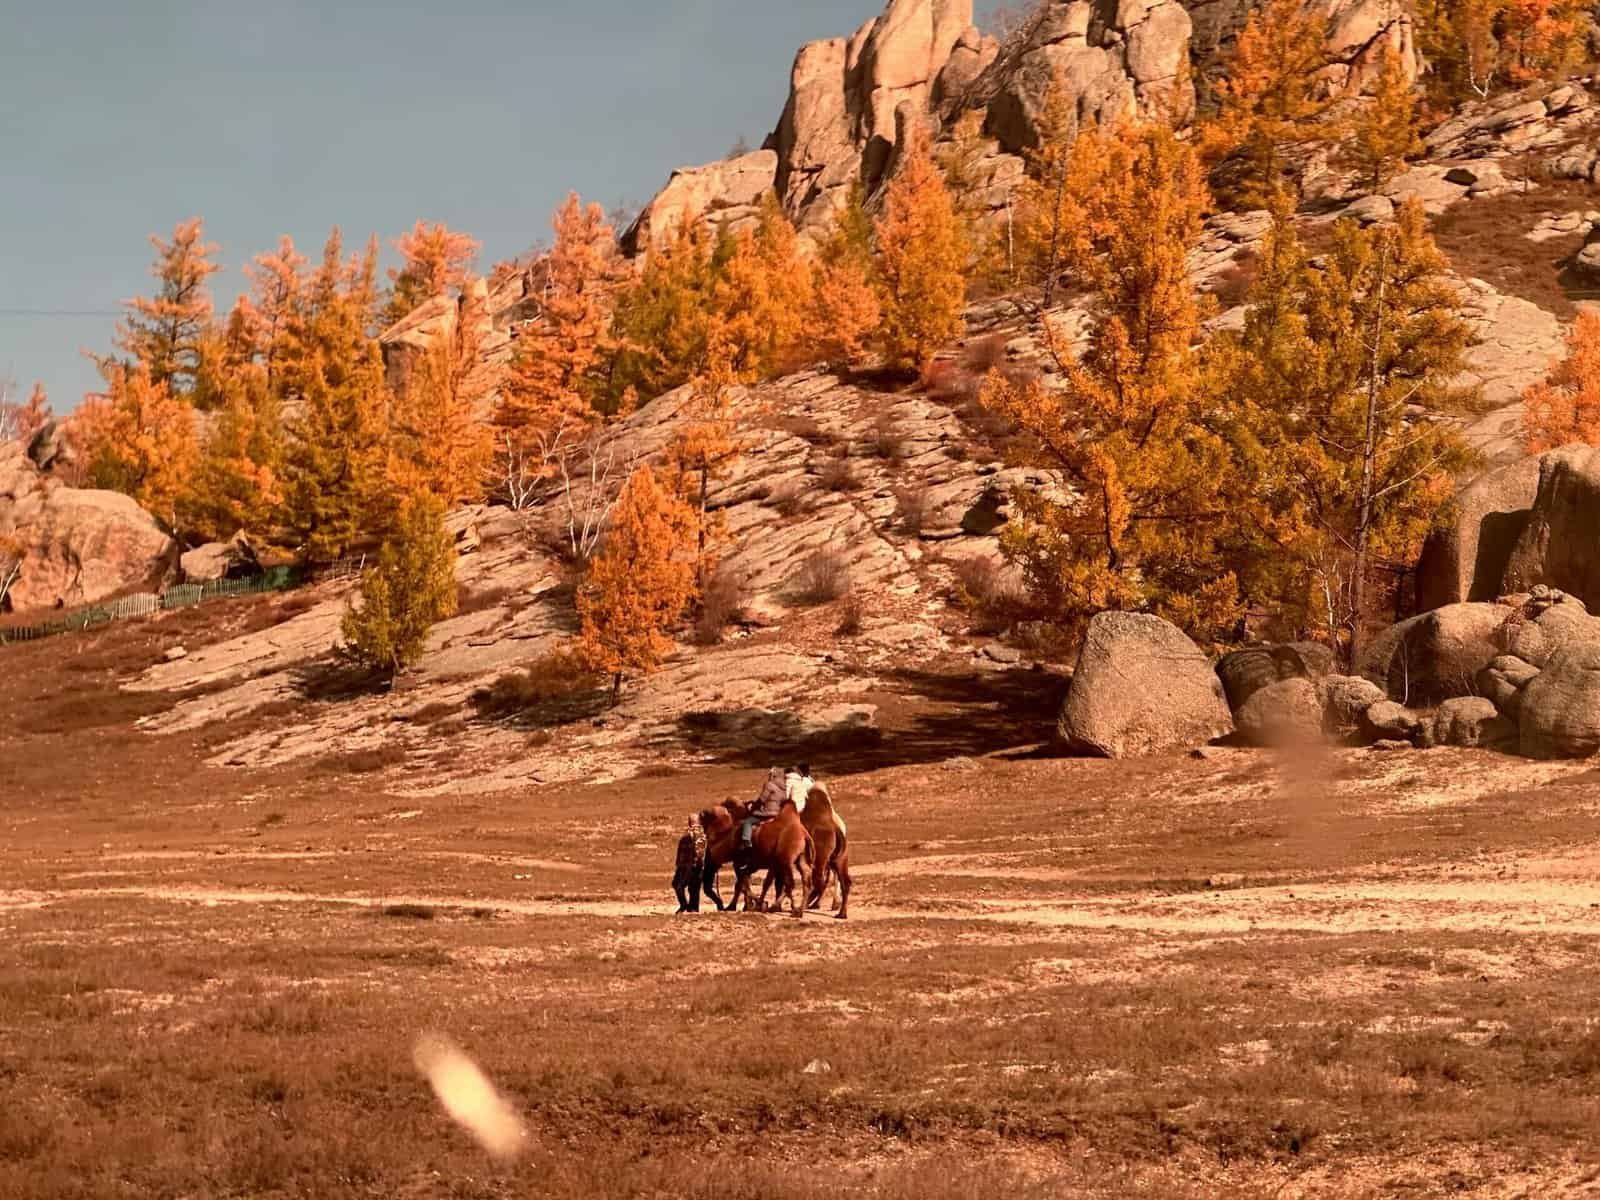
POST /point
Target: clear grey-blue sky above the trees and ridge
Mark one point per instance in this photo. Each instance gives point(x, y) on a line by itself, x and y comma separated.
point(122, 118)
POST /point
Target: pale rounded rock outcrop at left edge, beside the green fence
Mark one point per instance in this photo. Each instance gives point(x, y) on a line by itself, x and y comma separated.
point(78, 545)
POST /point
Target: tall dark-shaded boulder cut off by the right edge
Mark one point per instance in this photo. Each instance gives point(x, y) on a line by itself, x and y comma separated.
point(1561, 545)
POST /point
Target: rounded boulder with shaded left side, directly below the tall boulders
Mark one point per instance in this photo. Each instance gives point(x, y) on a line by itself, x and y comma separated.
point(1439, 655)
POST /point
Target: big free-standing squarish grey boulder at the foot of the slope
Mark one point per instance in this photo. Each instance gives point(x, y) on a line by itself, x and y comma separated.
point(1142, 687)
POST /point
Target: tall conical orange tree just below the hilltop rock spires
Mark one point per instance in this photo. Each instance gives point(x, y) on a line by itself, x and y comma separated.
point(922, 263)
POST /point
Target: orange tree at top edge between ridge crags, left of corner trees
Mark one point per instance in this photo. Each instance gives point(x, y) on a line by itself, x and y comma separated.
point(1273, 105)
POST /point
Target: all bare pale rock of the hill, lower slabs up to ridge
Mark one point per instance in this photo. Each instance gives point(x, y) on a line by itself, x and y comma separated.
point(860, 508)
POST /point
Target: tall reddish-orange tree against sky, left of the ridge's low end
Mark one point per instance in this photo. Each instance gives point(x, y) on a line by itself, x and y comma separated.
point(553, 391)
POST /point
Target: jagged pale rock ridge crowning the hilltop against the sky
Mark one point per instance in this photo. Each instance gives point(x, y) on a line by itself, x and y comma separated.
point(926, 63)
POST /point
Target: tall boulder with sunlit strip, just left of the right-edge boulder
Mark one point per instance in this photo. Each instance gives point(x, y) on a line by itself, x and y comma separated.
point(1466, 559)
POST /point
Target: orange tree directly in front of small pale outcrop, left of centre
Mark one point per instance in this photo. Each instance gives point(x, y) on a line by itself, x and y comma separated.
point(441, 442)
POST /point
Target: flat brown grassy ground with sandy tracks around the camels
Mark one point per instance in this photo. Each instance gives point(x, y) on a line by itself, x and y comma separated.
point(1249, 975)
